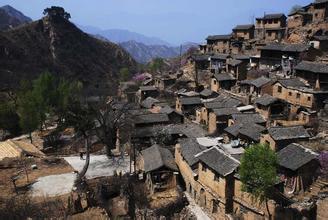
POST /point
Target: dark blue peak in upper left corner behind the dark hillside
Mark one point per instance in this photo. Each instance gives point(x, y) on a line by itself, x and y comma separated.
point(10, 17)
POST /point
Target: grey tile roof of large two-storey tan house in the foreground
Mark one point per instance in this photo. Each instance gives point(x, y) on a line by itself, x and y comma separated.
point(219, 161)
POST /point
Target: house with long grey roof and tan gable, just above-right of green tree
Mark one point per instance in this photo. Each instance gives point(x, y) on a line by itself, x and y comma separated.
point(280, 137)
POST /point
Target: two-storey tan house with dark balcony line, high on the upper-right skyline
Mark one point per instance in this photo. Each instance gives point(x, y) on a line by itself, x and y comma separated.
point(271, 27)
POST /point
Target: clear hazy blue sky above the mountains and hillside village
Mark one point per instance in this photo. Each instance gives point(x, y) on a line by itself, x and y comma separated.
point(175, 21)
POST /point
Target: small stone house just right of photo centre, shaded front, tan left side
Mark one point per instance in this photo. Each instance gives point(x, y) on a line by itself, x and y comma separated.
point(188, 105)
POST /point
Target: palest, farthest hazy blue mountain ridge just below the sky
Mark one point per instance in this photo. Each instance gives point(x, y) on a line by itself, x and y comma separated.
point(119, 36)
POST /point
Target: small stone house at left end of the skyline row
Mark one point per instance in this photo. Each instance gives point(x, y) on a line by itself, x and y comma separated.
point(219, 43)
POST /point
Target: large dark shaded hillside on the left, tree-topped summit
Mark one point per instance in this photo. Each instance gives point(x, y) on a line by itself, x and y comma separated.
point(54, 44)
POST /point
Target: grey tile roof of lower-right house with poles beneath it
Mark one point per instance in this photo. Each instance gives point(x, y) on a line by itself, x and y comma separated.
point(294, 156)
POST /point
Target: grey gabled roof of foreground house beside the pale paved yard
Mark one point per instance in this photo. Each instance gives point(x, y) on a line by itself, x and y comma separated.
point(156, 157)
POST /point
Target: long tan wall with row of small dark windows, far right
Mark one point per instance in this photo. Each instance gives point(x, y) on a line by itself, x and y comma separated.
point(291, 96)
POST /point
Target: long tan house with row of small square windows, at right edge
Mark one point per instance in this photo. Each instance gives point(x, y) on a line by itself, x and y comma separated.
point(298, 94)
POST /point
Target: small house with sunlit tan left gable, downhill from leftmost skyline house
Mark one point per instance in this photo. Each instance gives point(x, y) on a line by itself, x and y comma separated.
point(222, 81)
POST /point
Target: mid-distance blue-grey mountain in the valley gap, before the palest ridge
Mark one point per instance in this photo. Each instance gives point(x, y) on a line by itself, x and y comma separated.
point(144, 53)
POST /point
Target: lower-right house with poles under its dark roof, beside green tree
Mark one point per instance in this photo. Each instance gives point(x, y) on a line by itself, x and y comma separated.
point(297, 168)
